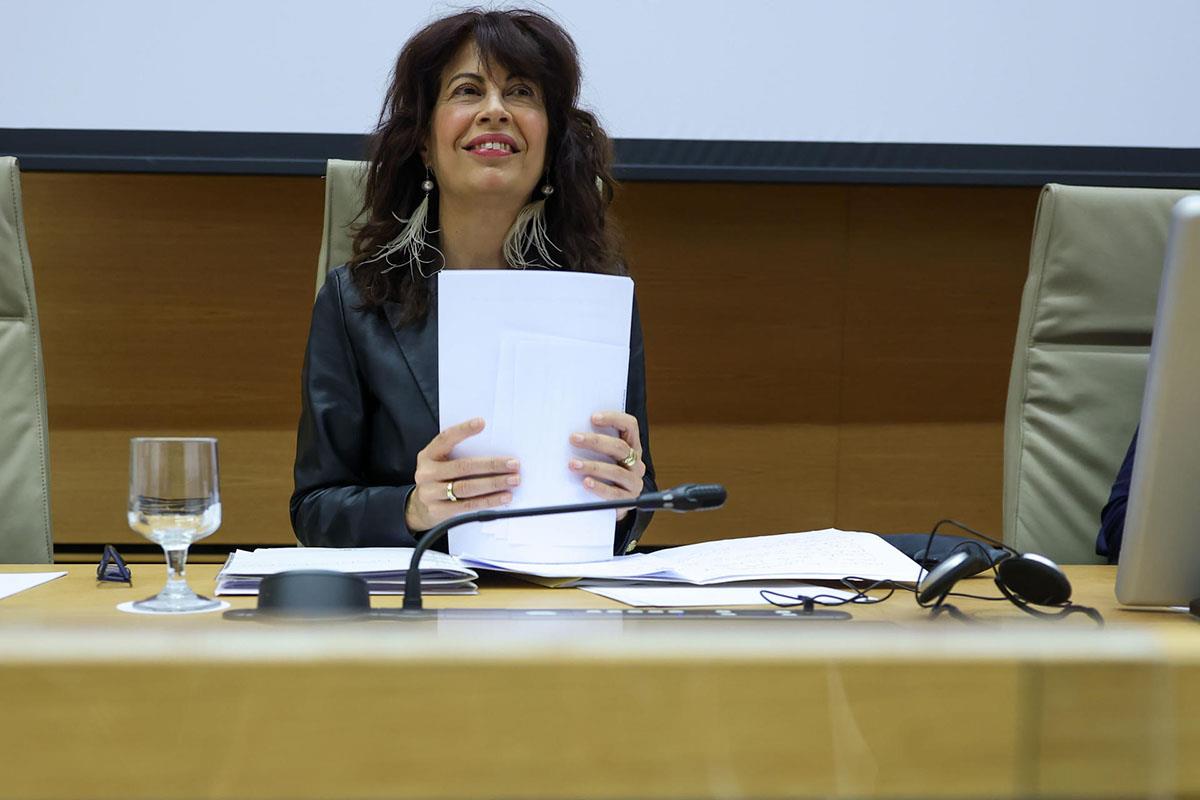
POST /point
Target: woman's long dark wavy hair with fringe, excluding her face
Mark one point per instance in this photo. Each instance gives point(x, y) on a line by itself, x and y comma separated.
point(579, 153)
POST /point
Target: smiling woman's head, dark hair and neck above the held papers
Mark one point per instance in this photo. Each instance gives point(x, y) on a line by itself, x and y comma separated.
point(507, 77)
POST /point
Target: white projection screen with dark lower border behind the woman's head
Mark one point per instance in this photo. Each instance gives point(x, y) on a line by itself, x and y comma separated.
point(961, 92)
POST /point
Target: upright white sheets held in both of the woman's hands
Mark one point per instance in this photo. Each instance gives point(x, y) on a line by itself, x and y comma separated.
point(535, 354)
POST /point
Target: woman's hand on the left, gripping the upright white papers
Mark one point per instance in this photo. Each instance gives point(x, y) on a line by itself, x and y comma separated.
point(477, 484)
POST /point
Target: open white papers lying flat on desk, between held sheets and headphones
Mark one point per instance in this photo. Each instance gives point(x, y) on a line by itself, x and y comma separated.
point(827, 555)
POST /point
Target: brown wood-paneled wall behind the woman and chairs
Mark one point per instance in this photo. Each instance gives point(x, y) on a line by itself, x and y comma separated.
point(837, 356)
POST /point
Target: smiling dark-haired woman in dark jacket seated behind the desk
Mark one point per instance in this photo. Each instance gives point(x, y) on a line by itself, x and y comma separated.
point(482, 160)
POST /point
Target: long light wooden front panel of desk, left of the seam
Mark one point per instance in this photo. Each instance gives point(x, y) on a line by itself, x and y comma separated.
point(603, 729)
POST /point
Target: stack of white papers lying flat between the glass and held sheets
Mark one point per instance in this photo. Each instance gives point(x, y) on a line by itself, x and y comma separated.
point(385, 569)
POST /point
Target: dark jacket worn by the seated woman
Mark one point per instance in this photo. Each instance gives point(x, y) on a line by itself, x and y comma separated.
point(369, 405)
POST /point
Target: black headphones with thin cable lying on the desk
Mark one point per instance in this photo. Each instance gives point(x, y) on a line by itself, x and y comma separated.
point(1027, 580)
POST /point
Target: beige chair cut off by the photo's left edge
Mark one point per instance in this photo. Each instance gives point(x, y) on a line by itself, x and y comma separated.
point(25, 443)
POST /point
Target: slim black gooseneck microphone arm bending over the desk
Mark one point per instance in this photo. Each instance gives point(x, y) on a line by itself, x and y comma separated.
point(688, 497)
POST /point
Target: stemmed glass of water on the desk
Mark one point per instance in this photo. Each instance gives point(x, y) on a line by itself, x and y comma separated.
point(175, 501)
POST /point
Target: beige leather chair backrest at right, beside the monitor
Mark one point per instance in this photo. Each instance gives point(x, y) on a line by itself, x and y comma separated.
point(1079, 365)
